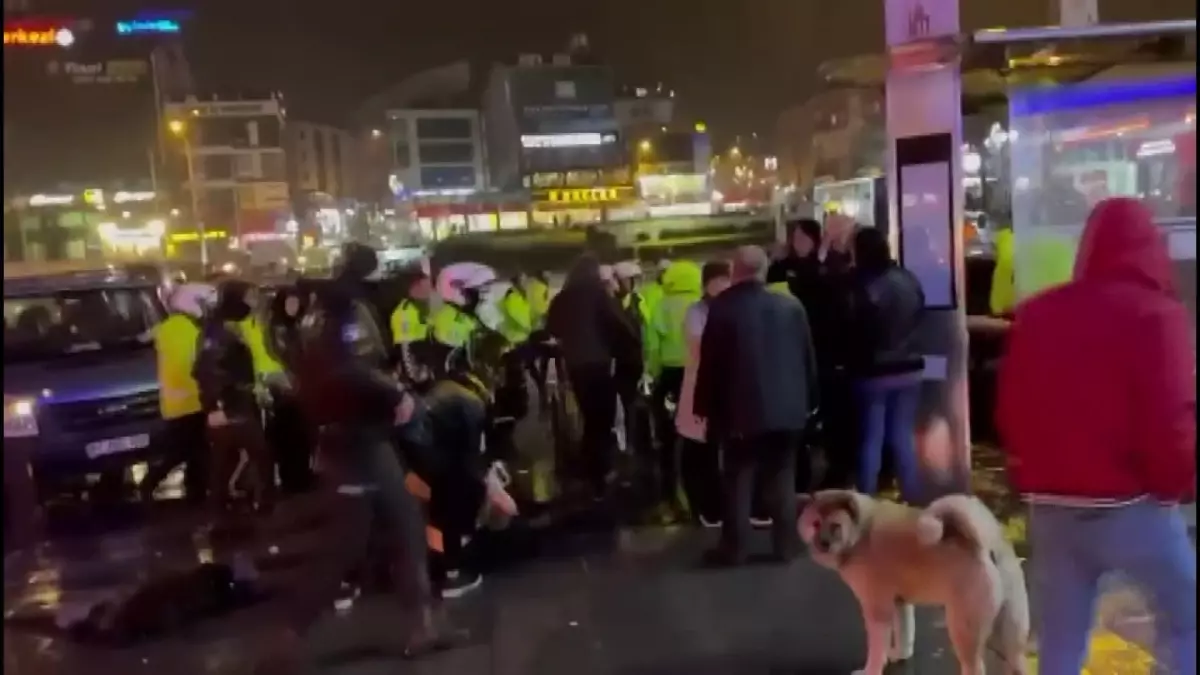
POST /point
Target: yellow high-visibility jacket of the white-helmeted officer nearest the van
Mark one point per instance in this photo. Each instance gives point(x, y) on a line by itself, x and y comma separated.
point(176, 342)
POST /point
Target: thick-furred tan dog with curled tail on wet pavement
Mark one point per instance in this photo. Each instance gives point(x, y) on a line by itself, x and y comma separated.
point(952, 555)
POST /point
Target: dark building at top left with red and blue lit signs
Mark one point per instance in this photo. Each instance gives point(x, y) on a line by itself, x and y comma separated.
point(85, 99)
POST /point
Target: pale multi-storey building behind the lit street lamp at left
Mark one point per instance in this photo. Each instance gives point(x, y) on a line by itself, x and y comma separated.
point(239, 169)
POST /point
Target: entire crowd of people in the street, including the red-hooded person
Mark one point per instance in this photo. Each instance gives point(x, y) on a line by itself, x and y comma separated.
point(743, 367)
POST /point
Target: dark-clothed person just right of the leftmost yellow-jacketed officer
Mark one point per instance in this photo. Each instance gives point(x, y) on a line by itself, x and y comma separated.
point(230, 398)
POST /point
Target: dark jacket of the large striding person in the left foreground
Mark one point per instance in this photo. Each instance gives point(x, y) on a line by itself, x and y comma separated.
point(345, 377)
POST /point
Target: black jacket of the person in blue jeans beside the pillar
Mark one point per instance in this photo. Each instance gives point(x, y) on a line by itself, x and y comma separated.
point(884, 333)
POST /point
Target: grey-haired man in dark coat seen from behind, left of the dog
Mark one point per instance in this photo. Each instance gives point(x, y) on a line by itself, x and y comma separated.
point(757, 386)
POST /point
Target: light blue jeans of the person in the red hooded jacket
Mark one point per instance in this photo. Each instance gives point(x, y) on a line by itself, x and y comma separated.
point(1073, 548)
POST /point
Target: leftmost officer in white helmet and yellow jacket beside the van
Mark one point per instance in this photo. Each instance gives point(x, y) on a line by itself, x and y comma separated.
point(179, 397)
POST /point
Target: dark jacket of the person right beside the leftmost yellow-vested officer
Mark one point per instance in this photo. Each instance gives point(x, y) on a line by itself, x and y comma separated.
point(225, 372)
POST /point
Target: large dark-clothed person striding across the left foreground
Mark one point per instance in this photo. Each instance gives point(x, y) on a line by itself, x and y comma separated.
point(347, 385)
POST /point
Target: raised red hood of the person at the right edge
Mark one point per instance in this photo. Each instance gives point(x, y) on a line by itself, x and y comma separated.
point(1121, 243)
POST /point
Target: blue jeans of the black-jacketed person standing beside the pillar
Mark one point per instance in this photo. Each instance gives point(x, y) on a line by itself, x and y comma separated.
point(889, 419)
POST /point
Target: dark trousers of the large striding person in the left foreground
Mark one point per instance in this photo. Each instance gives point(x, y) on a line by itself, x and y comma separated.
point(367, 503)
